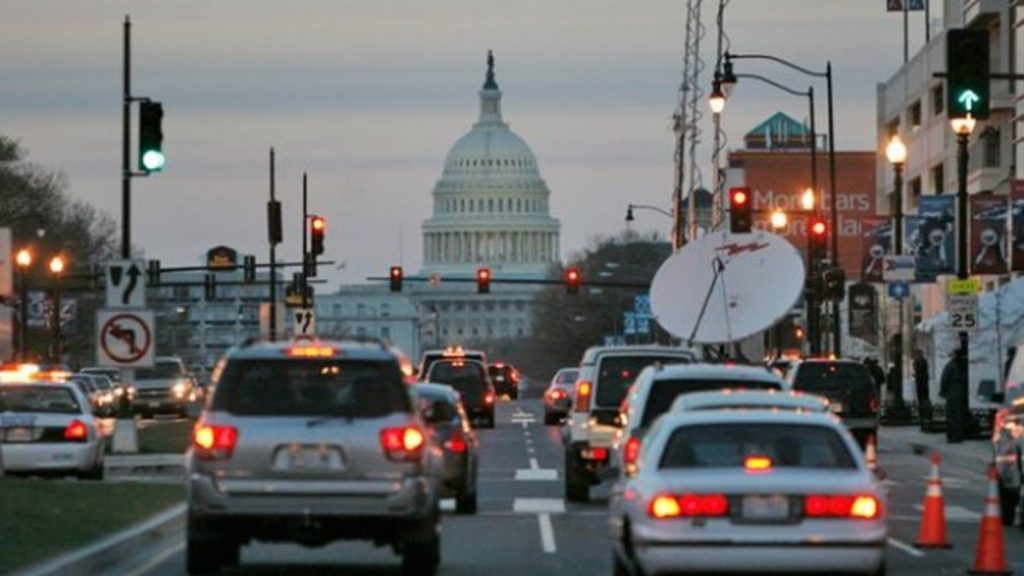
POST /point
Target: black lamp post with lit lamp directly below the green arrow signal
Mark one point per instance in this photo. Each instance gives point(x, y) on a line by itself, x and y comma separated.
point(958, 404)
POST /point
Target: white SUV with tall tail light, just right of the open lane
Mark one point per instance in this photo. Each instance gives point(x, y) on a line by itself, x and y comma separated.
point(606, 374)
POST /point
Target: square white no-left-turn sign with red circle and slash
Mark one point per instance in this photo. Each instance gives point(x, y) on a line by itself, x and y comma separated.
point(125, 339)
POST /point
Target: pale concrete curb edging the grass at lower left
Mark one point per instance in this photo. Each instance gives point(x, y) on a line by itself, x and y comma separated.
point(96, 557)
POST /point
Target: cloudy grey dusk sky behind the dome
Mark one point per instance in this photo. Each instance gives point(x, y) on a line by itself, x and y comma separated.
point(368, 97)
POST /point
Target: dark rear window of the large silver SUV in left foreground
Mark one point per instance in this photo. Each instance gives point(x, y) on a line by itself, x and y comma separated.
point(309, 388)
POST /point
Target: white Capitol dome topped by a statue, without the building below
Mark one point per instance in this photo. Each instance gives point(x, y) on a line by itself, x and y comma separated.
point(491, 207)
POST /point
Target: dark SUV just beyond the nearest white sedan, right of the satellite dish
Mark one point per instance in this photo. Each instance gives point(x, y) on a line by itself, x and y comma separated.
point(848, 386)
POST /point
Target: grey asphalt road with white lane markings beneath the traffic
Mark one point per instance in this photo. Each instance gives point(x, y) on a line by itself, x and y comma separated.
point(526, 527)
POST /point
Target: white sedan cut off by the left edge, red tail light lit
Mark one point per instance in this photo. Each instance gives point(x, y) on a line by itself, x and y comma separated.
point(49, 429)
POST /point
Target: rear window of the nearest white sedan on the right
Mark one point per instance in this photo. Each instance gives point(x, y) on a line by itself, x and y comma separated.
point(729, 445)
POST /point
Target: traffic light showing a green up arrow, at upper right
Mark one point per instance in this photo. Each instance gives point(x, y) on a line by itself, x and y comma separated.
point(967, 73)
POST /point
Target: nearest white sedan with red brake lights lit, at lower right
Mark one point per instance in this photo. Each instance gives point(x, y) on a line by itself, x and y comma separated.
point(749, 491)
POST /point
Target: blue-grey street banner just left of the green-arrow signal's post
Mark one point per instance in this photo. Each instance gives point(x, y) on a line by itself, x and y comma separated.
point(931, 240)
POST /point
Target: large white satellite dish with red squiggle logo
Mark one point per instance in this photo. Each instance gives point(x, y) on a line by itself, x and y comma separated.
point(724, 287)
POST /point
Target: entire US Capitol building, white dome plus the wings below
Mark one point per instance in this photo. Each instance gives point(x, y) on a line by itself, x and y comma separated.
point(491, 210)
